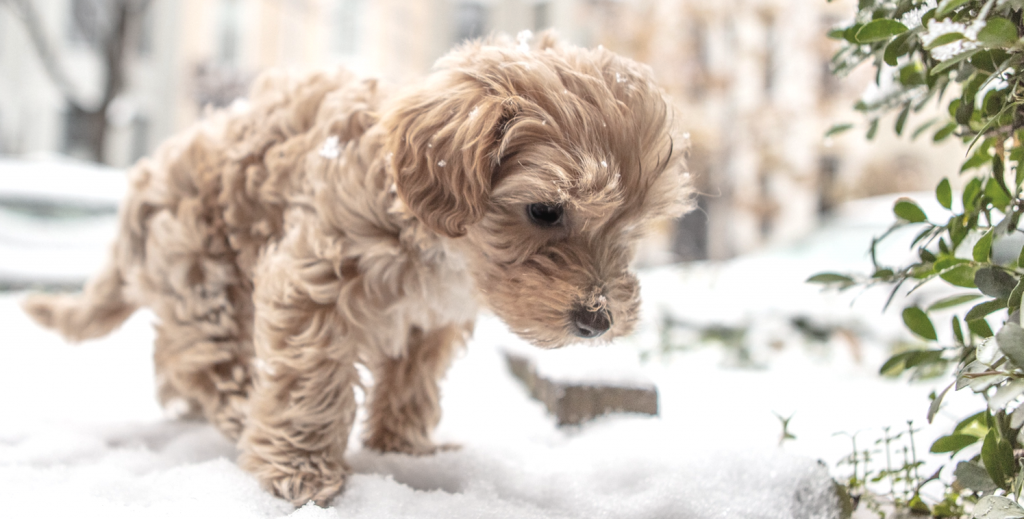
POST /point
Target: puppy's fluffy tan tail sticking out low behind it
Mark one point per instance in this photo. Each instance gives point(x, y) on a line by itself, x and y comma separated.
point(95, 313)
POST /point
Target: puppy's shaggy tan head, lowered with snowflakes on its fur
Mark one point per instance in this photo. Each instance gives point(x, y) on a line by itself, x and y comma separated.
point(545, 164)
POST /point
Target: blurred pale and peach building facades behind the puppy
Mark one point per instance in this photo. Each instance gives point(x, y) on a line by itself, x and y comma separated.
point(750, 77)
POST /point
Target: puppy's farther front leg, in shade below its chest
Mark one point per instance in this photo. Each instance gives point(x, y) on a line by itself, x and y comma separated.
point(405, 406)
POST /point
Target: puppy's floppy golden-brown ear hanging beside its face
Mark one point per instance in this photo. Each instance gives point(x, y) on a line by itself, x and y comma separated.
point(444, 142)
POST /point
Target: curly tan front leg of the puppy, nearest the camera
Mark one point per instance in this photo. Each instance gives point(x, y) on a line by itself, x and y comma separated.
point(303, 405)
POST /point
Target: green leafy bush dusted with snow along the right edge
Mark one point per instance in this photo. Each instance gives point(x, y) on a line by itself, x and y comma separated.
point(968, 56)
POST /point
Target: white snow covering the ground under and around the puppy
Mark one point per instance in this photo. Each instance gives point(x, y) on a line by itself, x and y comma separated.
point(81, 435)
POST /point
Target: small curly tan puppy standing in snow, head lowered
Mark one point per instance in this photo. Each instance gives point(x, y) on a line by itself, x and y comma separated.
point(332, 223)
